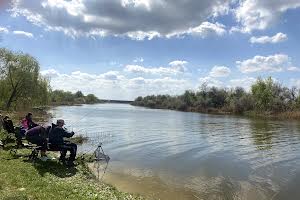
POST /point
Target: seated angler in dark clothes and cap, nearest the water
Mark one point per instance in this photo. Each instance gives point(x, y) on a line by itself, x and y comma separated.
point(56, 140)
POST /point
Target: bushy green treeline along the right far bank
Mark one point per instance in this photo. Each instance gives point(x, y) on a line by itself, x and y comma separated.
point(265, 96)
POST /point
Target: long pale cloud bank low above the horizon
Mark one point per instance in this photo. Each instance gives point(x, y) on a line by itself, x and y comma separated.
point(113, 85)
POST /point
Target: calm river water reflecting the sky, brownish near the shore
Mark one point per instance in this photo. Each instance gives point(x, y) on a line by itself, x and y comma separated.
point(176, 155)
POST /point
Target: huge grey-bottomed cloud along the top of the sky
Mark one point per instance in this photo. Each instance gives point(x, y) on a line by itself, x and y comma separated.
point(136, 19)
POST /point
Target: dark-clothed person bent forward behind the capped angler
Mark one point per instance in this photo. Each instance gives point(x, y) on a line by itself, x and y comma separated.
point(38, 136)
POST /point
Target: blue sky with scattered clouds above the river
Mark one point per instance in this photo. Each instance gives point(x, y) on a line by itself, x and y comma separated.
point(121, 49)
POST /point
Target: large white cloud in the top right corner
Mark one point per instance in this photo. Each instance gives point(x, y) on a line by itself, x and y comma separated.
point(259, 15)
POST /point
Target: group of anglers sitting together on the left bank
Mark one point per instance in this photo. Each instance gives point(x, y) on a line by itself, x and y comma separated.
point(47, 137)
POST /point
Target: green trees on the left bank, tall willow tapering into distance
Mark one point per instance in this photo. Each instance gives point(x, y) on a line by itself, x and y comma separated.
point(22, 86)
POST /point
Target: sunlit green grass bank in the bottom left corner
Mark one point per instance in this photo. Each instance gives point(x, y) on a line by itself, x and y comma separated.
point(22, 179)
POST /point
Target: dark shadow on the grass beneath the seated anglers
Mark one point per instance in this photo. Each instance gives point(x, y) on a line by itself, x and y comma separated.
point(55, 168)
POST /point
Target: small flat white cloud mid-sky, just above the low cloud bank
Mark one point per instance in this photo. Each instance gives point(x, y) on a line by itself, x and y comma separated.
point(176, 67)
